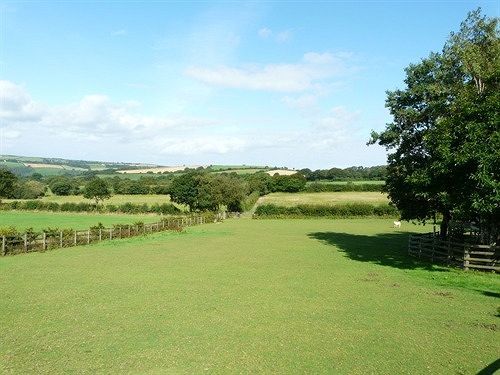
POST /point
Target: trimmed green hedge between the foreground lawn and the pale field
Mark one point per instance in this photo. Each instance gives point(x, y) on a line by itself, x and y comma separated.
point(338, 211)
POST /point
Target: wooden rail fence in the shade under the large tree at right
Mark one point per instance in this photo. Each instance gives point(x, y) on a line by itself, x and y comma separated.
point(463, 255)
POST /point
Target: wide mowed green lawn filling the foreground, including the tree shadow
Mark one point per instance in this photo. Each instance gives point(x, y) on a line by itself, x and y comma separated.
point(247, 296)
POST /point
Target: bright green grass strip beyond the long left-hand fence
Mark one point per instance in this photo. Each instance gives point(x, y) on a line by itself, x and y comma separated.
point(42, 220)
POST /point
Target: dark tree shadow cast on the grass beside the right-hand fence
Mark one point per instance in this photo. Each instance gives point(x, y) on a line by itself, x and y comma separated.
point(387, 249)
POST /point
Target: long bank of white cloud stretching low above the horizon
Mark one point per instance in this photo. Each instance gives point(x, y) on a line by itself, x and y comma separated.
point(120, 131)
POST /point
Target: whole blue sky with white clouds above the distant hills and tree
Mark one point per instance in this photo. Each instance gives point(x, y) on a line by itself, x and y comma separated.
point(284, 83)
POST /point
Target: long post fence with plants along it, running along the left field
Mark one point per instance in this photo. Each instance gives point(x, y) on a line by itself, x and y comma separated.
point(31, 241)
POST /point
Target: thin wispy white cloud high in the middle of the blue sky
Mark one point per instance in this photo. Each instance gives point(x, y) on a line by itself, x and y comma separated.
point(298, 77)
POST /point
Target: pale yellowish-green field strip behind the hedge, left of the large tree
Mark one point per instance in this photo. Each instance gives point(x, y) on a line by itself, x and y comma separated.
point(293, 199)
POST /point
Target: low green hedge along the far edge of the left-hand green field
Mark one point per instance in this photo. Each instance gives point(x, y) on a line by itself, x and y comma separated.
point(129, 208)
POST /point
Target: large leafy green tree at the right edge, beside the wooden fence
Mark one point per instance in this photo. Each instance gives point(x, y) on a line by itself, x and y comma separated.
point(444, 140)
